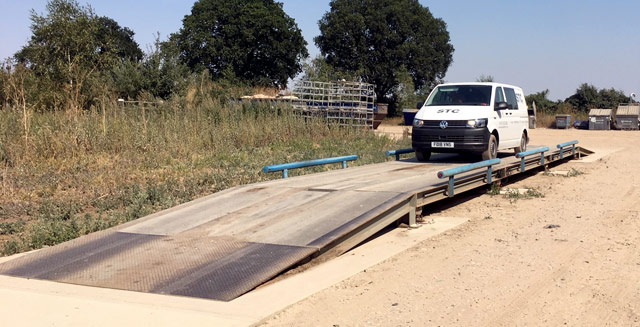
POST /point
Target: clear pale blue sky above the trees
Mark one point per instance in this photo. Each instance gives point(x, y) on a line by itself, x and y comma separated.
point(541, 44)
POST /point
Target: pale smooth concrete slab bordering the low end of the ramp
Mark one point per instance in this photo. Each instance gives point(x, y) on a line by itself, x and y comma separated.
point(29, 302)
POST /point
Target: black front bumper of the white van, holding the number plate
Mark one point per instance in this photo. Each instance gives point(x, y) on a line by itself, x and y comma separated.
point(463, 139)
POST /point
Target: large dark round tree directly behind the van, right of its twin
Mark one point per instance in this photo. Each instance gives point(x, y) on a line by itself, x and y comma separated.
point(379, 39)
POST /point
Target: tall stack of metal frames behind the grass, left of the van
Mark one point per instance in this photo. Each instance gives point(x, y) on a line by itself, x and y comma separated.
point(341, 103)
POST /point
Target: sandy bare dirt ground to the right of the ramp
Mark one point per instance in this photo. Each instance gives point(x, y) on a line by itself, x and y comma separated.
point(570, 257)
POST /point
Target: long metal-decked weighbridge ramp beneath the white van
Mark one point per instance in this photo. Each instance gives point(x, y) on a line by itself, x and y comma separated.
point(226, 244)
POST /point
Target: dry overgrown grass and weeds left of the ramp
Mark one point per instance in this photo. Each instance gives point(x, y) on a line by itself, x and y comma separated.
point(69, 175)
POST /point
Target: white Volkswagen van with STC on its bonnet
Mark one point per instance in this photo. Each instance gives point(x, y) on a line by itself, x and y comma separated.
point(481, 118)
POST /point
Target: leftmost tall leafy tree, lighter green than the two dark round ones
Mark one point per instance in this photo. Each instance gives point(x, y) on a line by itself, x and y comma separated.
point(69, 48)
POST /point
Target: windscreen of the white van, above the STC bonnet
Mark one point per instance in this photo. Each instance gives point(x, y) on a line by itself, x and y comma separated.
point(460, 95)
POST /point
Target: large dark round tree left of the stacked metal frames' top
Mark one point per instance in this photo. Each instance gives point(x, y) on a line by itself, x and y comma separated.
point(254, 41)
